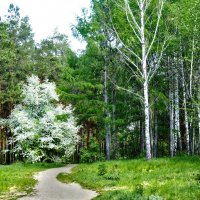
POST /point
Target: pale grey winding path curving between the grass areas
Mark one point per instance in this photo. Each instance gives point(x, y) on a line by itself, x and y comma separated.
point(49, 188)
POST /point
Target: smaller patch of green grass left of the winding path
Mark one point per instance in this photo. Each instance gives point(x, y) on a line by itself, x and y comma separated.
point(17, 179)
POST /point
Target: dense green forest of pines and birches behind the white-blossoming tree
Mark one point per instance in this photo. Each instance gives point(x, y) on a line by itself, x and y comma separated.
point(129, 102)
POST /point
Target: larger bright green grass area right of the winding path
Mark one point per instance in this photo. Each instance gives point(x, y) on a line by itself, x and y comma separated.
point(165, 178)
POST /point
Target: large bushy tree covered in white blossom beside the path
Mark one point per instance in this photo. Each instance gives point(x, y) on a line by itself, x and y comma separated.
point(42, 129)
